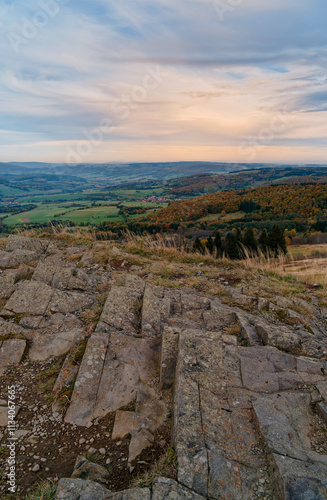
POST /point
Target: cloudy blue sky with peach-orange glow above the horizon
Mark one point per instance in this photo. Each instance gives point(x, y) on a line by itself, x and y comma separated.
point(163, 80)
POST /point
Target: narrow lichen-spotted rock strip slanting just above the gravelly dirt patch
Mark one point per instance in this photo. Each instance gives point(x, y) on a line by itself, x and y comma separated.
point(84, 397)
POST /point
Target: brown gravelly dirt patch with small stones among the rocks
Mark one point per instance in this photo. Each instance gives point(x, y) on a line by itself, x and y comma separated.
point(53, 445)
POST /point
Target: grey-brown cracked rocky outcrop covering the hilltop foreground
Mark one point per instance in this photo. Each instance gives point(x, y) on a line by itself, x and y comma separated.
point(247, 394)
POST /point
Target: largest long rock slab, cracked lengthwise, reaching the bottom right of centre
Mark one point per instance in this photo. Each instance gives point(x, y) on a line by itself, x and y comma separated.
point(214, 424)
